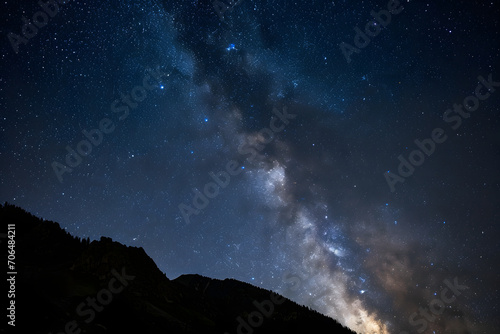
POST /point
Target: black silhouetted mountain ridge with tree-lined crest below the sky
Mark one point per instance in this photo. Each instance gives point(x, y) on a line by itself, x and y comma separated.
point(67, 285)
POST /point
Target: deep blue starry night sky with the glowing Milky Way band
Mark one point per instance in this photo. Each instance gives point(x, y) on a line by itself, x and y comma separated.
point(351, 166)
